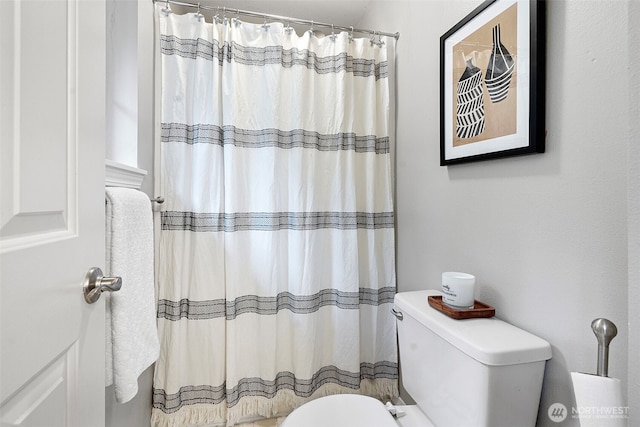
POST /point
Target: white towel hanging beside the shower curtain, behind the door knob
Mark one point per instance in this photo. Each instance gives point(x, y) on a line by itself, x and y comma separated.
point(131, 328)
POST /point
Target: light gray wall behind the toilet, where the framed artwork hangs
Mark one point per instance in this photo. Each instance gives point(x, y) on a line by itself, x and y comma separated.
point(546, 235)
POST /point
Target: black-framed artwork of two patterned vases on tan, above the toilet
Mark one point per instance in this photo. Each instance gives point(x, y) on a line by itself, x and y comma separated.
point(492, 83)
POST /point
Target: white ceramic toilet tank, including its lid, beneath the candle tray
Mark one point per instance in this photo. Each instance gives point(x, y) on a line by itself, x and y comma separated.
point(471, 372)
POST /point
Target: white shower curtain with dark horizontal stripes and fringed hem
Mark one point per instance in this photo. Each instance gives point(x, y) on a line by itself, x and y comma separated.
point(276, 251)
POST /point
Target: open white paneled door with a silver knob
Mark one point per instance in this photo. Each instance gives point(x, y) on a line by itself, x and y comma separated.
point(52, 79)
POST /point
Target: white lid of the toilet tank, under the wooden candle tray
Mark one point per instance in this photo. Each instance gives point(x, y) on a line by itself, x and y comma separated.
point(488, 340)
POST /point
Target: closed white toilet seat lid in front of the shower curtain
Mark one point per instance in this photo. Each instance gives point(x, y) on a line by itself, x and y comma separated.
point(341, 410)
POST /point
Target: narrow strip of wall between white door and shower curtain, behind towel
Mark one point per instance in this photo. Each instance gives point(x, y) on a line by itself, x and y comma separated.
point(130, 141)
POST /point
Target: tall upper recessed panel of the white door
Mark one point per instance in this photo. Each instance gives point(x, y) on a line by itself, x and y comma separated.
point(37, 139)
